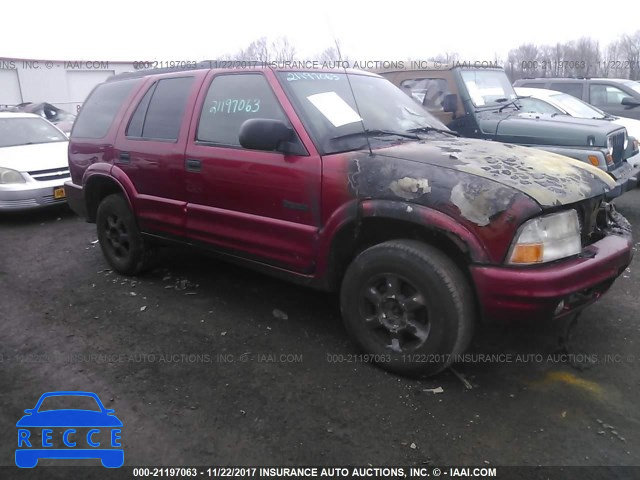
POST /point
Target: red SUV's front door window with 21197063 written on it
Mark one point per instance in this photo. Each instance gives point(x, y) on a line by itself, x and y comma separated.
point(230, 101)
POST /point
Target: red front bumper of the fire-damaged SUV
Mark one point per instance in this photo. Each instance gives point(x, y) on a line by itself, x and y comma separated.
point(535, 293)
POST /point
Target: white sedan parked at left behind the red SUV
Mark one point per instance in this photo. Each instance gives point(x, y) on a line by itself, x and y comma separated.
point(33, 162)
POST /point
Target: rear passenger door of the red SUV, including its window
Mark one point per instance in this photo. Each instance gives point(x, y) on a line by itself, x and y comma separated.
point(151, 148)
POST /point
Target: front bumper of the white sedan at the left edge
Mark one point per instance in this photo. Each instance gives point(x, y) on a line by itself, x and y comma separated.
point(30, 195)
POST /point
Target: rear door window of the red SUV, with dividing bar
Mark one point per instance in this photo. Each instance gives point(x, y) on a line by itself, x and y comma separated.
point(159, 114)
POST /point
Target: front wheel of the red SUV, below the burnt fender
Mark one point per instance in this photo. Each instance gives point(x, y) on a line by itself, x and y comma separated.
point(408, 305)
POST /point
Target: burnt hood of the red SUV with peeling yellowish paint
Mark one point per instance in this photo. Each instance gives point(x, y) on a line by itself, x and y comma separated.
point(547, 178)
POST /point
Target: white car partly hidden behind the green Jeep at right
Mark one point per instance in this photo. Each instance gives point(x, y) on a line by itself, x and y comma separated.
point(541, 100)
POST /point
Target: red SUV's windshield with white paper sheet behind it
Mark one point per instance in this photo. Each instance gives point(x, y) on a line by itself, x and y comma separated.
point(327, 108)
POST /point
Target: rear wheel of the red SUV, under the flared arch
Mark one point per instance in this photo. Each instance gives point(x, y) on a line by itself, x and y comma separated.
point(120, 239)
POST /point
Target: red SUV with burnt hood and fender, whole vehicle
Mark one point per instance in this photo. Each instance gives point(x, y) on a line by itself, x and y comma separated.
point(339, 181)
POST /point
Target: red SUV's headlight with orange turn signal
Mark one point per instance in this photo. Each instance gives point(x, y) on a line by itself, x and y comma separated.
point(547, 238)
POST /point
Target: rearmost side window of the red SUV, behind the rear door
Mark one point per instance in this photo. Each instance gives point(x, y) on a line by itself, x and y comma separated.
point(101, 108)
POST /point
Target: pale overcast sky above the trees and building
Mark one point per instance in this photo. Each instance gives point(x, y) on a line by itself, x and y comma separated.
point(372, 30)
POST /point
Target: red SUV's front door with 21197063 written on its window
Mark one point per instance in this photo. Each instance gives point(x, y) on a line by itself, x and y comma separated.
point(262, 205)
